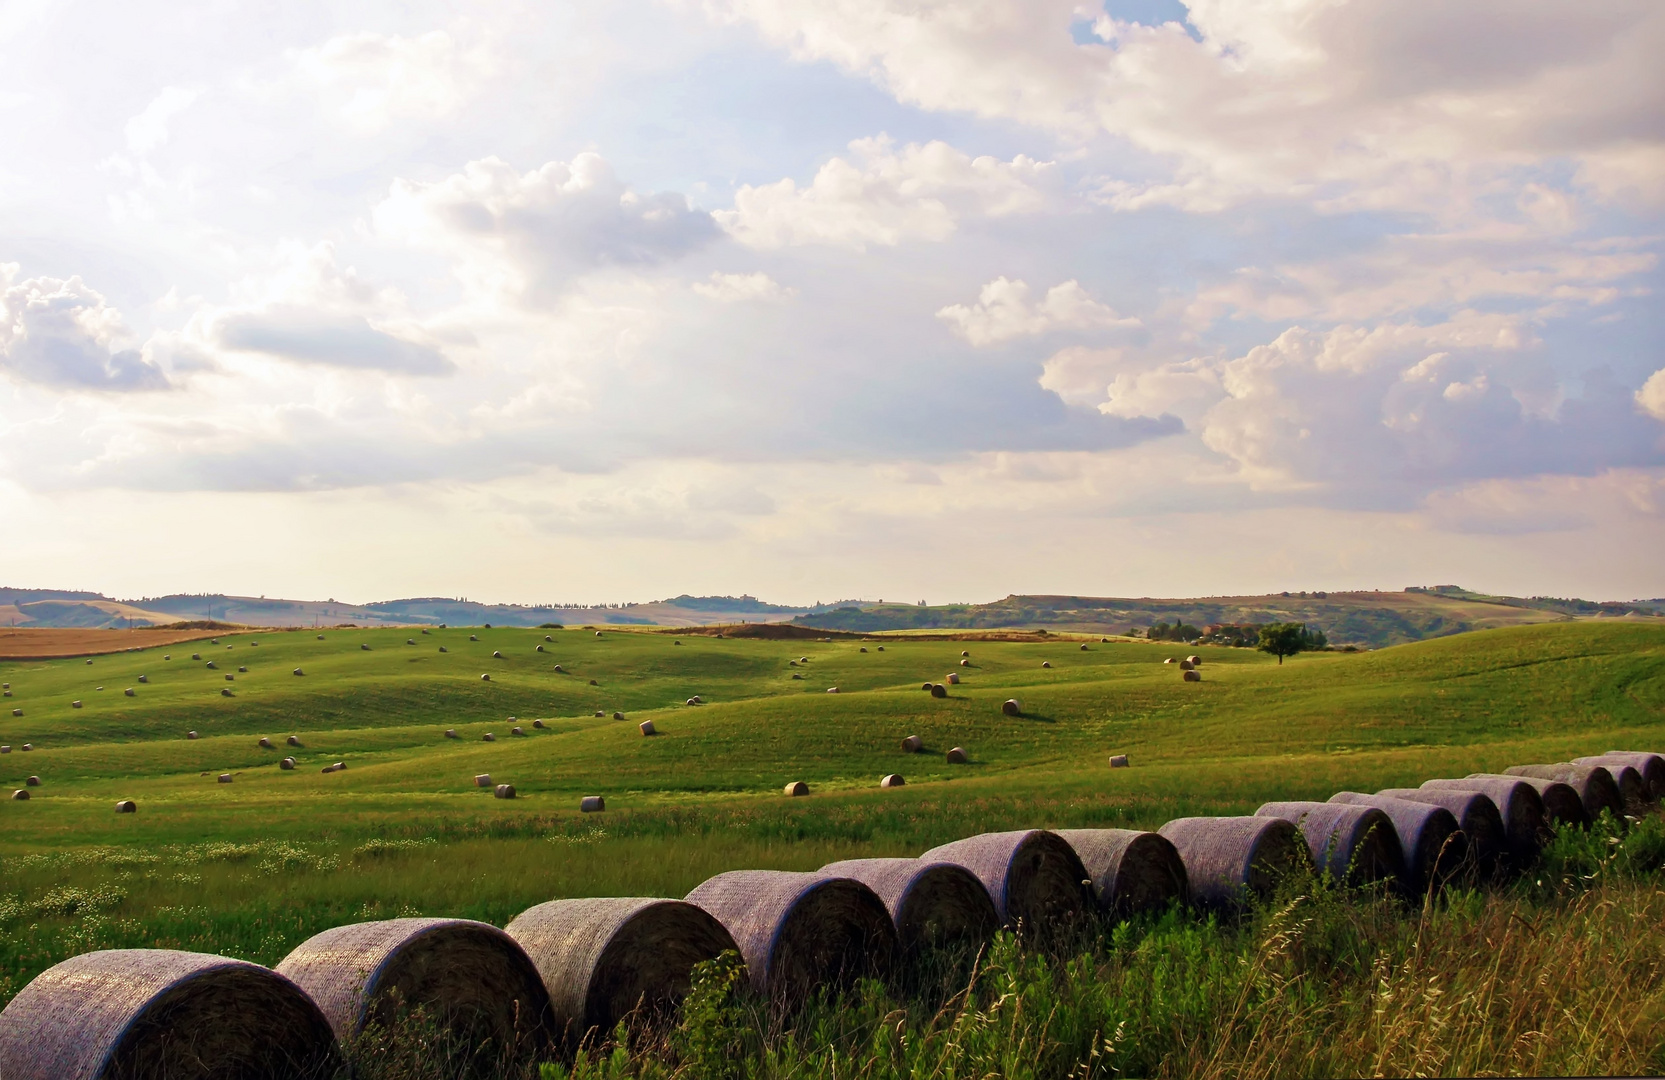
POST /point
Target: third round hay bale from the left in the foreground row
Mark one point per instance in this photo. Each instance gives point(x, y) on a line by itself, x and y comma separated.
point(610, 958)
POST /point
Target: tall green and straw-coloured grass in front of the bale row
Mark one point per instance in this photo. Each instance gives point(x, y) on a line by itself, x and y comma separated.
point(1559, 974)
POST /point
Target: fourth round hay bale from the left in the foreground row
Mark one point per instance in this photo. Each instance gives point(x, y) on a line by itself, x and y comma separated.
point(800, 933)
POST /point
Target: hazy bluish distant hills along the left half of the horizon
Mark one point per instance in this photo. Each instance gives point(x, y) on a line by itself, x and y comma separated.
point(52, 608)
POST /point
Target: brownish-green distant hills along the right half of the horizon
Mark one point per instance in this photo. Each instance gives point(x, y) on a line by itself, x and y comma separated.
point(1369, 620)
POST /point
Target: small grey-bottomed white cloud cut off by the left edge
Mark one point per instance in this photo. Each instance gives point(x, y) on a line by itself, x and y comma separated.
point(62, 334)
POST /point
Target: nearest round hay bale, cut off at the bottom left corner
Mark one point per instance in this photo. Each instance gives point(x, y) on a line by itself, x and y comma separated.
point(162, 1014)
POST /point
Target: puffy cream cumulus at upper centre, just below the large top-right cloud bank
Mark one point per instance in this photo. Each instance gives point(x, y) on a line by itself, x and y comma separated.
point(883, 197)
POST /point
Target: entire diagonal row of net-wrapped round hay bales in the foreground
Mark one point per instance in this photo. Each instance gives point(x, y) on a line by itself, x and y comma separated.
point(572, 968)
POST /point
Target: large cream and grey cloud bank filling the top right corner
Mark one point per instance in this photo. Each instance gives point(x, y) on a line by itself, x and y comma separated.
point(1368, 104)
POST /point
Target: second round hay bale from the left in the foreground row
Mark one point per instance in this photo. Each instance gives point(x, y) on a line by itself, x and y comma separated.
point(469, 978)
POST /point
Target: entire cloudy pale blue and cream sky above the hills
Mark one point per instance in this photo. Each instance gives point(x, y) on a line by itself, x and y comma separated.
point(832, 299)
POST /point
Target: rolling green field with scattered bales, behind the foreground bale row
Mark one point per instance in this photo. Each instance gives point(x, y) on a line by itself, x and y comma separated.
point(256, 866)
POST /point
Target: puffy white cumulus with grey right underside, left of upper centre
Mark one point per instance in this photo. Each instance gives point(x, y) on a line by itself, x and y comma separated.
point(524, 232)
